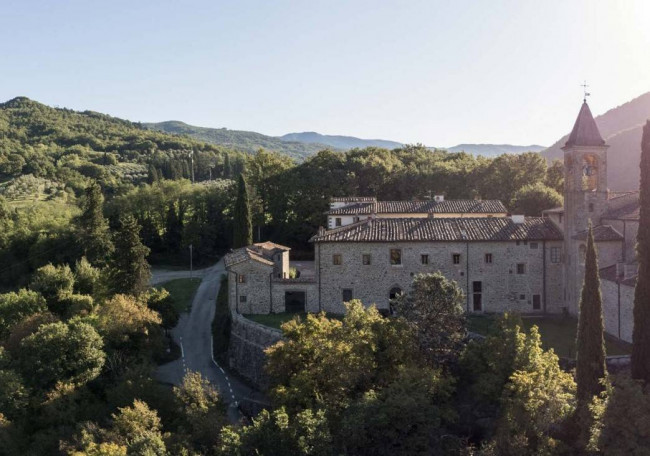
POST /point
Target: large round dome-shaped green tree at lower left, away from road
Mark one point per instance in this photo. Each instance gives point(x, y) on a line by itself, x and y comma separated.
point(59, 352)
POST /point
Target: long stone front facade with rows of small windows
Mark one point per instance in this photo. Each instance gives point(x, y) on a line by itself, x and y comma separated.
point(502, 287)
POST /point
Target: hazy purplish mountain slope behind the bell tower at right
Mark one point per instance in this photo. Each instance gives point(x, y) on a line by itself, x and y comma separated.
point(621, 128)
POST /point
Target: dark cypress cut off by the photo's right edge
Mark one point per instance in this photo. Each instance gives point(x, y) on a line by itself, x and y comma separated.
point(641, 333)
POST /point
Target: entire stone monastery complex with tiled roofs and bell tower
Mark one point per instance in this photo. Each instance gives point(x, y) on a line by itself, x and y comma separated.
point(372, 249)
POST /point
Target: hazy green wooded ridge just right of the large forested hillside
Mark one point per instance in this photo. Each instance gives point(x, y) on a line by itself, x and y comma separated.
point(245, 141)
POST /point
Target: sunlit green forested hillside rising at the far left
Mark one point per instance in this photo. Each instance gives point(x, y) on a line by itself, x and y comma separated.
point(66, 146)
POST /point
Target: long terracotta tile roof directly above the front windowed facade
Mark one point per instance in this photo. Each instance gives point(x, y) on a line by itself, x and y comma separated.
point(442, 229)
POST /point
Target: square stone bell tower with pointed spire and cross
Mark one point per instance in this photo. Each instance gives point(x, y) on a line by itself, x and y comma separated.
point(585, 196)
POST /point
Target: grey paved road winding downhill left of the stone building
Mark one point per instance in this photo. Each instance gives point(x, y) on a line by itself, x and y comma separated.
point(194, 335)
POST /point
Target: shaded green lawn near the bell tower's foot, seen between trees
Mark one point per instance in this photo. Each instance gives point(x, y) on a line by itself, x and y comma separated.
point(558, 333)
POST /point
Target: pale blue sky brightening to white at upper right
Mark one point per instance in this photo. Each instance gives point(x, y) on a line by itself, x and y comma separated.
point(433, 72)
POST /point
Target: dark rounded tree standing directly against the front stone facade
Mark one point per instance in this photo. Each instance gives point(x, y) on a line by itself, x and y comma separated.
point(433, 308)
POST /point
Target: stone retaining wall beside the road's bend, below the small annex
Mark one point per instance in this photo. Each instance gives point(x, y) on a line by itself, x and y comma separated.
point(248, 340)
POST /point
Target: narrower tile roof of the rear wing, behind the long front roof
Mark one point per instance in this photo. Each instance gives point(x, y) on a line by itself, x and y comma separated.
point(423, 207)
